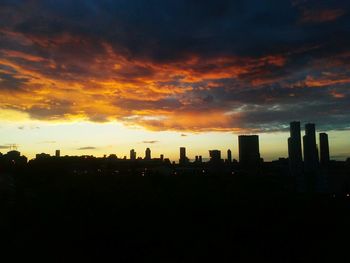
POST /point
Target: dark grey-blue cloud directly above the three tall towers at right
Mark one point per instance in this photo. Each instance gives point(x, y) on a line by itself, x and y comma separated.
point(270, 108)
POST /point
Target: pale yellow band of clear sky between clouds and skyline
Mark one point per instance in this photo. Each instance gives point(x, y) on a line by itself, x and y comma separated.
point(88, 138)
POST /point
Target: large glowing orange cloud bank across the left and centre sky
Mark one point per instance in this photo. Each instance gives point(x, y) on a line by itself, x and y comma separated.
point(109, 86)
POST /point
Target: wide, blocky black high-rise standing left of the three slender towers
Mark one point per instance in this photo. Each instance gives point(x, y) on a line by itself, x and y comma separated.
point(249, 153)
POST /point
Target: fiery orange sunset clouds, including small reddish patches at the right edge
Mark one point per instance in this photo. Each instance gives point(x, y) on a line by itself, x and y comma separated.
point(74, 79)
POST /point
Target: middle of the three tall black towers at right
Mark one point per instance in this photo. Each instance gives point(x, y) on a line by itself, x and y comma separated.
point(310, 148)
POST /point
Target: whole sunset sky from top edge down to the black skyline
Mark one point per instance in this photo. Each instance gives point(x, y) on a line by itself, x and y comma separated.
point(101, 76)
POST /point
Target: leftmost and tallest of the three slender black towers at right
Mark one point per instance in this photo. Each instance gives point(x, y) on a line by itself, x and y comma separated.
point(294, 149)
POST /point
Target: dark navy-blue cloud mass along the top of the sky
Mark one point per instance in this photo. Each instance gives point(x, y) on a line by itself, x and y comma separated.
point(169, 30)
